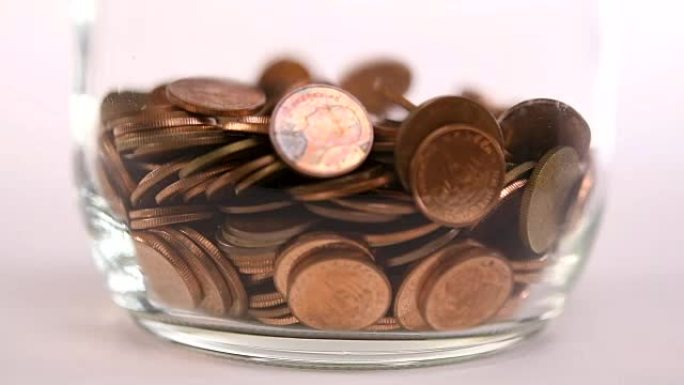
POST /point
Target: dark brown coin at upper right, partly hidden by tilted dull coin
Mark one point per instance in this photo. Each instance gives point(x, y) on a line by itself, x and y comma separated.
point(534, 127)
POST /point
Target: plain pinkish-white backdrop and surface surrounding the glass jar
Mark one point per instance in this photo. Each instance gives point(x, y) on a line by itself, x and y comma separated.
point(623, 324)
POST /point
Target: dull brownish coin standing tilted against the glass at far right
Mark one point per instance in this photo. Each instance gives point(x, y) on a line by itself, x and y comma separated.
point(544, 203)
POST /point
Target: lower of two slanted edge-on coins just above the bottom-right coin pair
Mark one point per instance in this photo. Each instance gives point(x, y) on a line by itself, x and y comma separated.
point(394, 256)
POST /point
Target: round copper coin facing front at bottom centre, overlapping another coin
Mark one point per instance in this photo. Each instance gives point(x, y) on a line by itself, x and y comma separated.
point(338, 289)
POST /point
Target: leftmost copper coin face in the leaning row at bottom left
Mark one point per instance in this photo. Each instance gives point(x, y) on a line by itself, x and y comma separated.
point(167, 276)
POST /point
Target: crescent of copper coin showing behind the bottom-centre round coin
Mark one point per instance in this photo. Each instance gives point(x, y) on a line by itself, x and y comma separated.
point(297, 249)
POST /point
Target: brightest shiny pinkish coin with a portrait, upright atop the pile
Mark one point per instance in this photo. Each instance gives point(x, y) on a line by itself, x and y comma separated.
point(321, 131)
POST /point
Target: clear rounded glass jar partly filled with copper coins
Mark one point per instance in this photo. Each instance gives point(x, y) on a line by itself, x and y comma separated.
point(342, 184)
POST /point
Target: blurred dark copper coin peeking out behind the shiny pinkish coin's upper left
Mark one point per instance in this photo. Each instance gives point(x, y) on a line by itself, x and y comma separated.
point(282, 75)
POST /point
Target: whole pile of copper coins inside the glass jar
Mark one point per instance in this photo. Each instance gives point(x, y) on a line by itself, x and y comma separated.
point(300, 202)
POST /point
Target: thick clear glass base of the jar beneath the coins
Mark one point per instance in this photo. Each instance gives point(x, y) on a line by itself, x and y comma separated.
point(334, 353)
